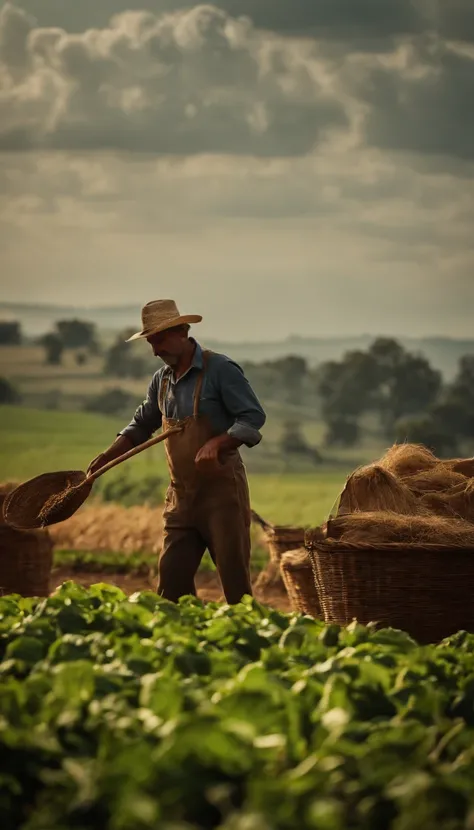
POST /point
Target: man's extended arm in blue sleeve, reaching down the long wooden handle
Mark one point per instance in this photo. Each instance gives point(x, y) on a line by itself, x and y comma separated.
point(146, 420)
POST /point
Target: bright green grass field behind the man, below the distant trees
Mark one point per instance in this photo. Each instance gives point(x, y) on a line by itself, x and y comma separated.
point(36, 441)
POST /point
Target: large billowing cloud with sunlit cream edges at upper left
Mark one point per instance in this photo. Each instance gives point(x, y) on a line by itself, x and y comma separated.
point(197, 81)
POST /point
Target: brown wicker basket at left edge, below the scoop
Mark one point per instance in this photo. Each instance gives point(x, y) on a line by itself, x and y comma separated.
point(26, 560)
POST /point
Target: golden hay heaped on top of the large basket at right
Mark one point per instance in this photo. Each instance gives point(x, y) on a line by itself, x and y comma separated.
point(408, 496)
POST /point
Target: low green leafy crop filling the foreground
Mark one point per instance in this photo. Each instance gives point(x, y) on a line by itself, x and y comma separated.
point(134, 713)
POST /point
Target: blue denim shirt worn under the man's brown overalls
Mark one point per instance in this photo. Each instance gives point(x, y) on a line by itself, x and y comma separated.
point(227, 399)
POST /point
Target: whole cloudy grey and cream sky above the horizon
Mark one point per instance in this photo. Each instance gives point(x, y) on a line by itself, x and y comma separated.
point(278, 166)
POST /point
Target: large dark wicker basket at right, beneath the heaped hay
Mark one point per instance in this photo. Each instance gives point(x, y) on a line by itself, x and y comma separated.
point(425, 590)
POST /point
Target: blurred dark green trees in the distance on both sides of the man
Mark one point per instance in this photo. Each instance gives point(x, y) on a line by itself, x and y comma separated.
point(394, 390)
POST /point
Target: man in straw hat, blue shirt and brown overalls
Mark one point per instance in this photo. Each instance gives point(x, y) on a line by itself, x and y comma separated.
point(207, 503)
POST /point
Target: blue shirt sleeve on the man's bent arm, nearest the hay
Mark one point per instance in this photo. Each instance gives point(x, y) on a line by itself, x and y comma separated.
point(242, 404)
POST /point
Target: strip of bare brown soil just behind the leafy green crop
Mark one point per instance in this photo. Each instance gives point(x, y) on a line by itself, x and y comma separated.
point(207, 585)
